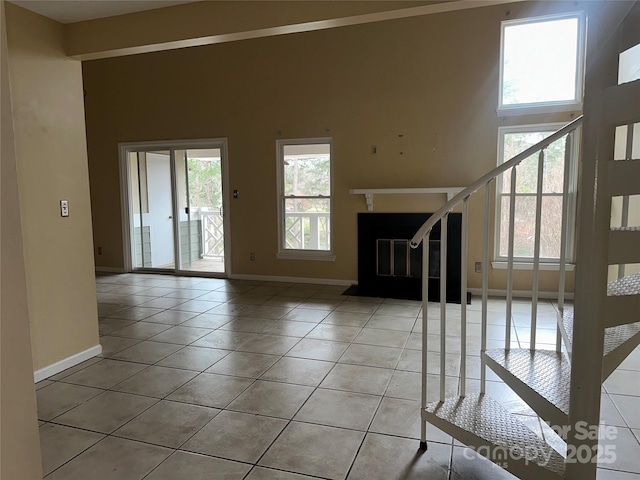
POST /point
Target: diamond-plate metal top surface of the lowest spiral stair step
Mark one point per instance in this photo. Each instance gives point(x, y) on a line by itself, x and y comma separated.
point(483, 417)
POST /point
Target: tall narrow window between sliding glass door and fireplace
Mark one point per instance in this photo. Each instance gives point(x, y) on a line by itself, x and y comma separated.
point(304, 199)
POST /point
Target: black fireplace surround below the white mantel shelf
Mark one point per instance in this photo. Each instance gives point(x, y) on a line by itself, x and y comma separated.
point(389, 267)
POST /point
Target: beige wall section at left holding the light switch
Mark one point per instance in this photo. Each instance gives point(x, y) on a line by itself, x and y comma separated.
point(52, 165)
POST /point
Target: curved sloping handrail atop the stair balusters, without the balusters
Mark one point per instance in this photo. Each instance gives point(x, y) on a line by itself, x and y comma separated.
point(484, 180)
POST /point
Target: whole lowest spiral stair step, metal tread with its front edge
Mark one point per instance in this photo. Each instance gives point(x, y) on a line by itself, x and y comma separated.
point(480, 422)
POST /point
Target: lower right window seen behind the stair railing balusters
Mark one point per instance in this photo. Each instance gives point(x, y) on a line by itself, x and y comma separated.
point(513, 140)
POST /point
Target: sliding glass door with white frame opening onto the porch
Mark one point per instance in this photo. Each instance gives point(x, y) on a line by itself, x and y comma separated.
point(175, 196)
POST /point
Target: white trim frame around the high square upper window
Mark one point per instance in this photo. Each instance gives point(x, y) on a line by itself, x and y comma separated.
point(574, 104)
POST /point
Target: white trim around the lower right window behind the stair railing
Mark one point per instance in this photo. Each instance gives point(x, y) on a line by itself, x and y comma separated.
point(572, 198)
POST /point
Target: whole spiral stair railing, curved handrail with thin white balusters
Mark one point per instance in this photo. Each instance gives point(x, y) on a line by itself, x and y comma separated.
point(441, 215)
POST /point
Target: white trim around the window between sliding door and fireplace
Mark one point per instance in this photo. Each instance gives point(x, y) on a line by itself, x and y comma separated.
point(298, 254)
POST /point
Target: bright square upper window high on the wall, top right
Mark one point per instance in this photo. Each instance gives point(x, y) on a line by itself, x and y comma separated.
point(541, 63)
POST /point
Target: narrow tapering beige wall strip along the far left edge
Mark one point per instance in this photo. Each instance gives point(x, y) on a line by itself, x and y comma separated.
point(20, 457)
